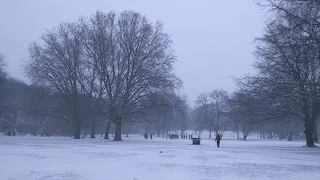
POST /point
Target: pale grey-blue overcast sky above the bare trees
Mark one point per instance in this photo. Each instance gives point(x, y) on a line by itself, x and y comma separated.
point(212, 39)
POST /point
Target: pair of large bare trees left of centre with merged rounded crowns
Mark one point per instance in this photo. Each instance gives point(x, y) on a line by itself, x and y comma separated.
point(116, 59)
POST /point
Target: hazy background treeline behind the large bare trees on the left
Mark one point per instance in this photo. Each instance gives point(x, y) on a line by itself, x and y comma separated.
point(36, 110)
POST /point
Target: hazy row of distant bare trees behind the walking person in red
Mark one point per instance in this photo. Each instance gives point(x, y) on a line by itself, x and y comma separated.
point(244, 114)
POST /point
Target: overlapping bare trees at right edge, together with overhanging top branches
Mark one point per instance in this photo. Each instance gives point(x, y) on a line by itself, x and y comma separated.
point(288, 63)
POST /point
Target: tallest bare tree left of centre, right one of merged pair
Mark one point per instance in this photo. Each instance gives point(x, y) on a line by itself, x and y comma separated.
point(133, 58)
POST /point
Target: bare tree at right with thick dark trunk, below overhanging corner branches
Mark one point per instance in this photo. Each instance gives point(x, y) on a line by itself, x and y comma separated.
point(288, 71)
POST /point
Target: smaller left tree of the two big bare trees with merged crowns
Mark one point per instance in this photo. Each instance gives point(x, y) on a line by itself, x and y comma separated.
point(56, 63)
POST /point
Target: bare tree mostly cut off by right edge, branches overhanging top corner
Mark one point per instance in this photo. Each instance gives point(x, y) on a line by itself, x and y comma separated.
point(302, 16)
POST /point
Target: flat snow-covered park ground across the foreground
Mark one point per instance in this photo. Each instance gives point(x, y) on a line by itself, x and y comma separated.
point(62, 158)
